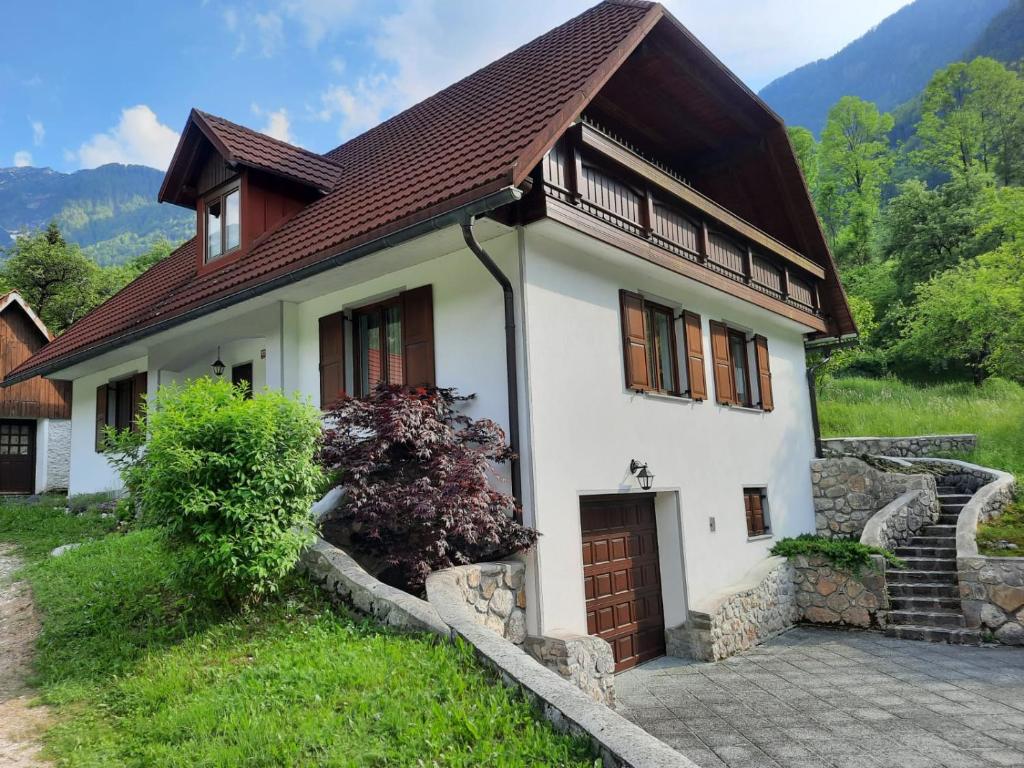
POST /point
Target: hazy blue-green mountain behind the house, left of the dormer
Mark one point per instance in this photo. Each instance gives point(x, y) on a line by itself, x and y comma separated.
point(111, 211)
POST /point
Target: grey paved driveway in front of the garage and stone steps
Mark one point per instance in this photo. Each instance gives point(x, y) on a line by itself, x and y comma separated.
point(819, 698)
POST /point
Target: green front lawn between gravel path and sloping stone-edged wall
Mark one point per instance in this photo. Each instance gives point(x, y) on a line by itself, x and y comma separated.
point(142, 674)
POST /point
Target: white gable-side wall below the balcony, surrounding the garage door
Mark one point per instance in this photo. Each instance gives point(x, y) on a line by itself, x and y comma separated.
point(587, 426)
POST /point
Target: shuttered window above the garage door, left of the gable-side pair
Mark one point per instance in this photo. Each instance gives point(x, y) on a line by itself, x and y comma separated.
point(651, 349)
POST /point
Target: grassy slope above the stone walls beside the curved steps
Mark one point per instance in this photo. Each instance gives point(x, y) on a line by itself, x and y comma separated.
point(889, 408)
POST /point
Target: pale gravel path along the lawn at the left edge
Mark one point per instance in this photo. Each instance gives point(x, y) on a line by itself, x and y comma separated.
point(20, 724)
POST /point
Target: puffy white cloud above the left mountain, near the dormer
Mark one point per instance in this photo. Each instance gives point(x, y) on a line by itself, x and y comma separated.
point(139, 138)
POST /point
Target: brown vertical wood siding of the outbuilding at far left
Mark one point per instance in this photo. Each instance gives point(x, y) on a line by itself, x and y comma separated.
point(35, 399)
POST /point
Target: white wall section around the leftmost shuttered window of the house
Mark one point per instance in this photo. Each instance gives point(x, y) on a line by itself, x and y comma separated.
point(91, 473)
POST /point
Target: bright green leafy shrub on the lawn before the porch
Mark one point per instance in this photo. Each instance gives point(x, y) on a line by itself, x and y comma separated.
point(230, 479)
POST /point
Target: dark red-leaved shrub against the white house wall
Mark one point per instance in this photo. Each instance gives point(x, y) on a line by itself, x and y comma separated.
point(416, 472)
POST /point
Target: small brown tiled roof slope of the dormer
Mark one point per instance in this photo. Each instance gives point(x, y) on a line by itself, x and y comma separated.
point(249, 148)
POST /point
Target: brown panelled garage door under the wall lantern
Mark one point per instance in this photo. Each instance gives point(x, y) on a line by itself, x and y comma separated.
point(621, 577)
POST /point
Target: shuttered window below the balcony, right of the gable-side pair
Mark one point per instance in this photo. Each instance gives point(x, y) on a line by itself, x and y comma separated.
point(742, 368)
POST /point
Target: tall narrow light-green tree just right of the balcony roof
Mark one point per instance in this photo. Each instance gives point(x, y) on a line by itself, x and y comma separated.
point(855, 160)
